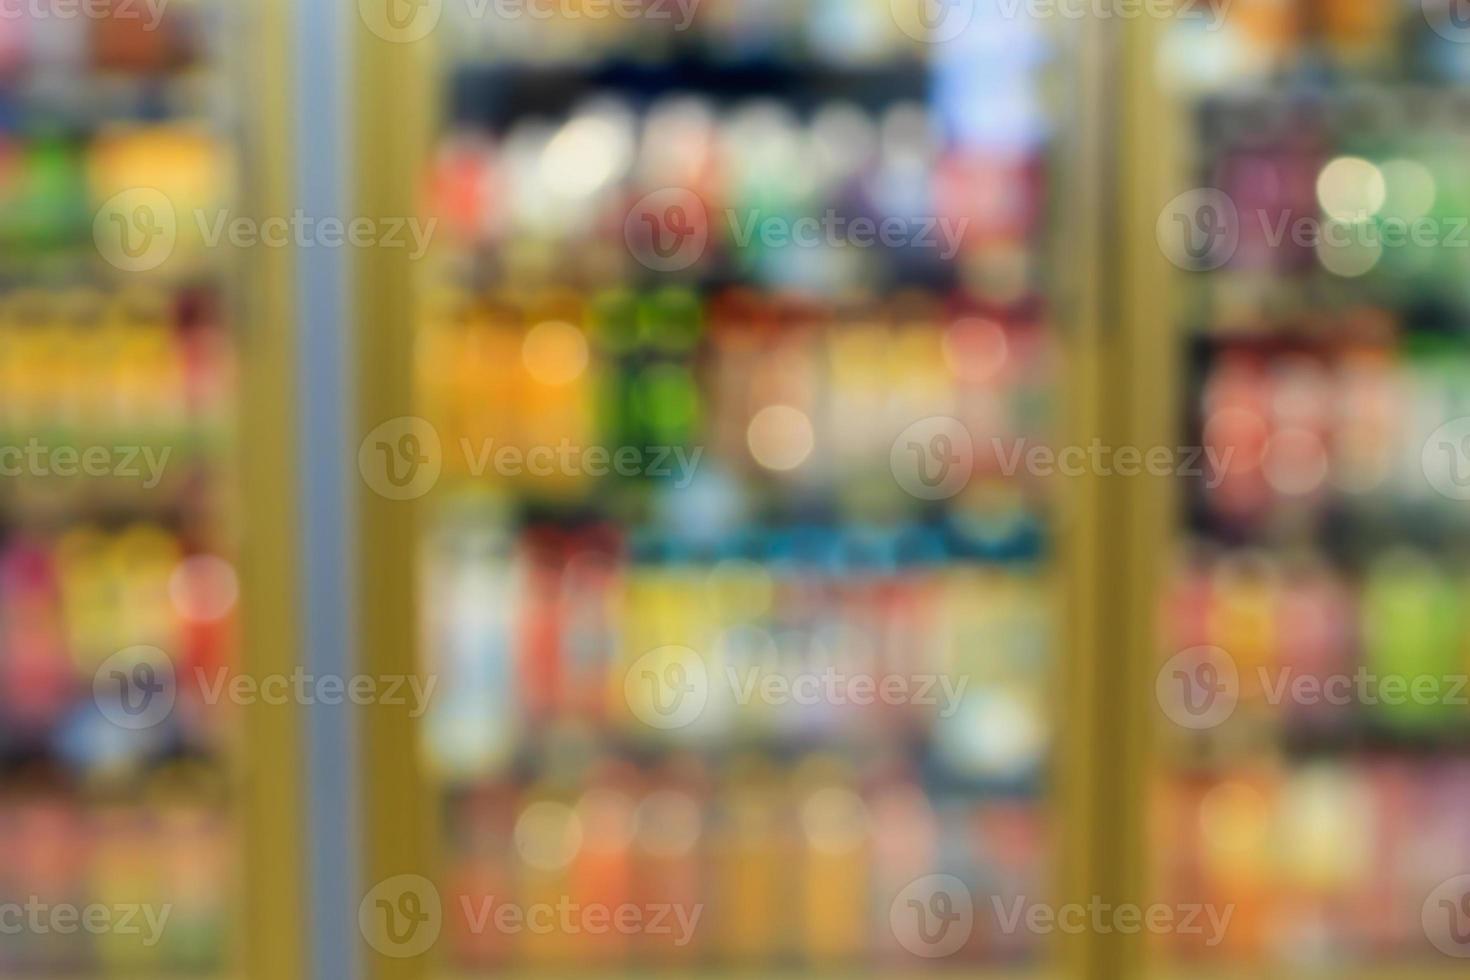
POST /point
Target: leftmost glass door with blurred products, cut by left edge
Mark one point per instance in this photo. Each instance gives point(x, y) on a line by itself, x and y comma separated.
point(120, 534)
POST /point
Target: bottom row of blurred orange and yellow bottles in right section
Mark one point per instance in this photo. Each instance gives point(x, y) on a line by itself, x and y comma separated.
point(1337, 862)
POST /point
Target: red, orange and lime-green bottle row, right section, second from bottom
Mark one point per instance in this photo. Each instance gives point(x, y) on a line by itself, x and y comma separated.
point(1309, 649)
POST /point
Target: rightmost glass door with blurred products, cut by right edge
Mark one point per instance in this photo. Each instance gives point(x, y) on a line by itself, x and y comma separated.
point(1313, 777)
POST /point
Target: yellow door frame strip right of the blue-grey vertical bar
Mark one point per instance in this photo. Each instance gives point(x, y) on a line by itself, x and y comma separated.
point(393, 117)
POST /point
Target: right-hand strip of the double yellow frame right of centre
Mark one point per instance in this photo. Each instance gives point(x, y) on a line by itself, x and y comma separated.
point(1141, 409)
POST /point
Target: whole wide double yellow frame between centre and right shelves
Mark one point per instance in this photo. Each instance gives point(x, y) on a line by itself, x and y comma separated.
point(1121, 383)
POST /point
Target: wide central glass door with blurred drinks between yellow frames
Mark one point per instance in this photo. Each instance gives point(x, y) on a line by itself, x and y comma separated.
point(736, 584)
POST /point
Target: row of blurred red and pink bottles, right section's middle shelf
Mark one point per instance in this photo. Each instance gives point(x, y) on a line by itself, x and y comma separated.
point(1311, 436)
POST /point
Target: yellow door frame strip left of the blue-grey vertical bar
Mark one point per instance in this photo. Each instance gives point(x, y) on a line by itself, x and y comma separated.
point(271, 813)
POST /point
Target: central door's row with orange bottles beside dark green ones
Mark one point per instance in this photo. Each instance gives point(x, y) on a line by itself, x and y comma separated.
point(734, 399)
